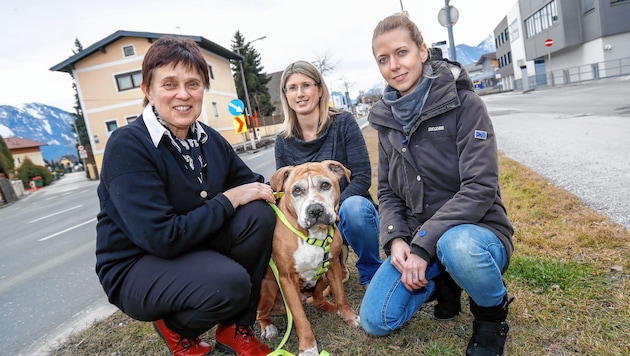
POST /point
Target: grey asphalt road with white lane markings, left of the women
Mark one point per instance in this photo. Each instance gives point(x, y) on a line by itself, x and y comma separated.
point(47, 282)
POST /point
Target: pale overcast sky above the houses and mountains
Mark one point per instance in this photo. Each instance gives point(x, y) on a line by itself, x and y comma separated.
point(38, 34)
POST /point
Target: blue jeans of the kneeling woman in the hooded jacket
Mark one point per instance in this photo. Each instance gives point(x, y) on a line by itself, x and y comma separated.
point(473, 256)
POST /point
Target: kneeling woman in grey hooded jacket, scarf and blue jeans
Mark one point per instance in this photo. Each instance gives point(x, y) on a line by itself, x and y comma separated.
point(440, 206)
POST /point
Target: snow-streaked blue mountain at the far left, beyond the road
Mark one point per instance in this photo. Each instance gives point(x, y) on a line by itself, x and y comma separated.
point(43, 123)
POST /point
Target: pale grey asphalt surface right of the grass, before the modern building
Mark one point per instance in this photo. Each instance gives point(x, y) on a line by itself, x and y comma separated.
point(577, 136)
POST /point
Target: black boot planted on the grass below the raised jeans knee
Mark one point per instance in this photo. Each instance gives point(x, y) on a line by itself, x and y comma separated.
point(489, 329)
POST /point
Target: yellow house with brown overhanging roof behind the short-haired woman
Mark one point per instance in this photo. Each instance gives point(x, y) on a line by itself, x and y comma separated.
point(108, 74)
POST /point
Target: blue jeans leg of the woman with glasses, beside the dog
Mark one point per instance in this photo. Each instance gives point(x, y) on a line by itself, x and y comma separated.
point(358, 224)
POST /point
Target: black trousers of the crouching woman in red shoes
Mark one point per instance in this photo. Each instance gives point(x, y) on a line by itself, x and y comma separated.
point(217, 283)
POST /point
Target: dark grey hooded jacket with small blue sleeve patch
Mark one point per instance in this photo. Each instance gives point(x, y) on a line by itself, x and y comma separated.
point(445, 172)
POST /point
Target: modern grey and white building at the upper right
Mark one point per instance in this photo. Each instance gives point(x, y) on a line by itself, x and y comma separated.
point(553, 42)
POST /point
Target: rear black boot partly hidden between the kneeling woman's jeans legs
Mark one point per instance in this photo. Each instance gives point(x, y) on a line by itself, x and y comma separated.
point(448, 295)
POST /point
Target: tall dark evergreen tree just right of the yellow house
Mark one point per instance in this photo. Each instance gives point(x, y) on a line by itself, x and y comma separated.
point(256, 80)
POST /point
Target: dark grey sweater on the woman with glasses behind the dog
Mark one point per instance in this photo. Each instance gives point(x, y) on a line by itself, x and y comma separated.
point(341, 141)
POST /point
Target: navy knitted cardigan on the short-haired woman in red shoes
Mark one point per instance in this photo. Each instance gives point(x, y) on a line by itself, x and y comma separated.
point(150, 204)
